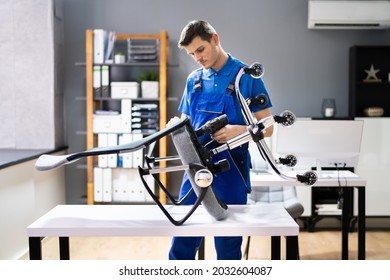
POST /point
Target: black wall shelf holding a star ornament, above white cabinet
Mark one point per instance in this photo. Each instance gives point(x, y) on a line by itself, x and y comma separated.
point(364, 94)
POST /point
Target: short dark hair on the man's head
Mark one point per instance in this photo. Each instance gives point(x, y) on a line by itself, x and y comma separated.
point(195, 28)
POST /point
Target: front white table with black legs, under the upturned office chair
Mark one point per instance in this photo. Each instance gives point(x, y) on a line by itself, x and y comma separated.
point(65, 221)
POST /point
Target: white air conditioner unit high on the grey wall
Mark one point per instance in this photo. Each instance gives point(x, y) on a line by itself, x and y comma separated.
point(333, 14)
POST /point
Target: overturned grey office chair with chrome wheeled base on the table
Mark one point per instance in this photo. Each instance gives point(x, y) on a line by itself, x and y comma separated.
point(196, 159)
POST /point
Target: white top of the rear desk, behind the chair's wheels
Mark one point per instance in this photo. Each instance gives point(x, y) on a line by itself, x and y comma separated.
point(327, 178)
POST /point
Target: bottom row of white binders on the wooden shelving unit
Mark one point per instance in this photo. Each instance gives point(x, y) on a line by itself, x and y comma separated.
point(120, 185)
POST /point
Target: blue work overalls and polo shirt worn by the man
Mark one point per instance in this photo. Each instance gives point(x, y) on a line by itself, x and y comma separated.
point(207, 95)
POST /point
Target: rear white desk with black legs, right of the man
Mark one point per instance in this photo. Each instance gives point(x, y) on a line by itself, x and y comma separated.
point(344, 179)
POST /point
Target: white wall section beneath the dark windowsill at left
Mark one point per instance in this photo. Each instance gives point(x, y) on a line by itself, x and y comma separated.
point(25, 195)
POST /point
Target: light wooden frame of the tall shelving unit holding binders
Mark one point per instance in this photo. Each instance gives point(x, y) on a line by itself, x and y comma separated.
point(92, 104)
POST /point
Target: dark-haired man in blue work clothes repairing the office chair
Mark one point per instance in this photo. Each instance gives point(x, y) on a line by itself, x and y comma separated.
point(207, 95)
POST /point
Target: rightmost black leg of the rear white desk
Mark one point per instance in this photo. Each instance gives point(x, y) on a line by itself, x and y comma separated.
point(361, 223)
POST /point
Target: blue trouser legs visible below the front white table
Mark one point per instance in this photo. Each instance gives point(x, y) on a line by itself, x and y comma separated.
point(185, 248)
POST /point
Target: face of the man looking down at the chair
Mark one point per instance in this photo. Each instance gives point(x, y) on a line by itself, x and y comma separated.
point(204, 52)
